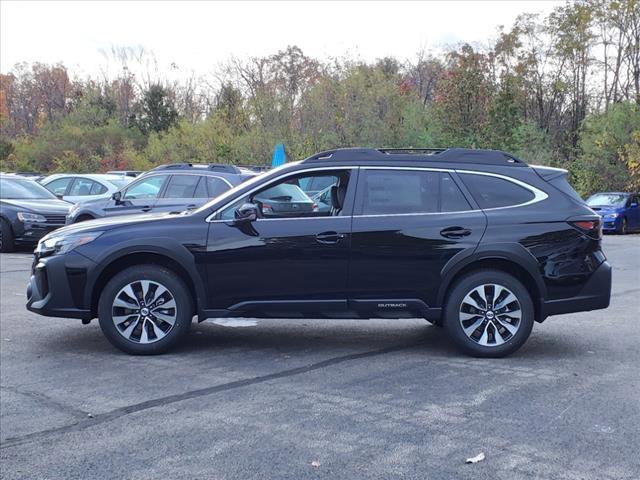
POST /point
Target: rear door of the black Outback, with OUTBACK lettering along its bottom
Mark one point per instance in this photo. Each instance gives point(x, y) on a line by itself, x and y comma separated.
point(407, 224)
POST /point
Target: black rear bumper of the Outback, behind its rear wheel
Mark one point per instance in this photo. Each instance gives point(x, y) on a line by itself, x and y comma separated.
point(595, 295)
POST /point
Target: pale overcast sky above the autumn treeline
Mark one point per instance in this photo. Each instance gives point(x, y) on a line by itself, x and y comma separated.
point(196, 36)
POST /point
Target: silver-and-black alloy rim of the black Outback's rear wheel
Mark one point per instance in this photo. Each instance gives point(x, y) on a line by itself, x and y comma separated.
point(490, 315)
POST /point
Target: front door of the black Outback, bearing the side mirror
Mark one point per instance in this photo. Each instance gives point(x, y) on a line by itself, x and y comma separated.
point(282, 264)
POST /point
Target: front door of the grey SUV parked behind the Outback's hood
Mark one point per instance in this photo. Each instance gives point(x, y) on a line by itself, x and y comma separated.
point(139, 197)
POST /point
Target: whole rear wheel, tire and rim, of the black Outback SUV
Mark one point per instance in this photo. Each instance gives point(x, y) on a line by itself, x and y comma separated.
point(489, 314)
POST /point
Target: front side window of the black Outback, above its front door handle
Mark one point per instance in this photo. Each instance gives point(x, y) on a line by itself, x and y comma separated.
point(287, 199)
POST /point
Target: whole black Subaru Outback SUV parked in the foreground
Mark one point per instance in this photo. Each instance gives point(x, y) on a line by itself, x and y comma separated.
point(474, 240)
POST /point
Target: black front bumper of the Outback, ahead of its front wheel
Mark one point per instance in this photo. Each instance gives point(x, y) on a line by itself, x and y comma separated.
point(57, 286)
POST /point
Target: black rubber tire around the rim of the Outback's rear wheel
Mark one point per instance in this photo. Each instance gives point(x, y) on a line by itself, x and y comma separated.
point(453, 315)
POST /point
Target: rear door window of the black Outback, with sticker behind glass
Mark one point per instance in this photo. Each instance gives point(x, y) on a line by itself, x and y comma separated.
point(409, 191)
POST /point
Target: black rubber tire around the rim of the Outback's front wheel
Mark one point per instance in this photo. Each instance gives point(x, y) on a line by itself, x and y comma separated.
point(132, 276)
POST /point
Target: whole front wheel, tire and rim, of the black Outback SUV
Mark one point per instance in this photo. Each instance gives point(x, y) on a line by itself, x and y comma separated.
point(145, 310)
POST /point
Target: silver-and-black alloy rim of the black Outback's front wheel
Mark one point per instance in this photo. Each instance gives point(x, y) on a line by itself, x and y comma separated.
point(144, 311)
